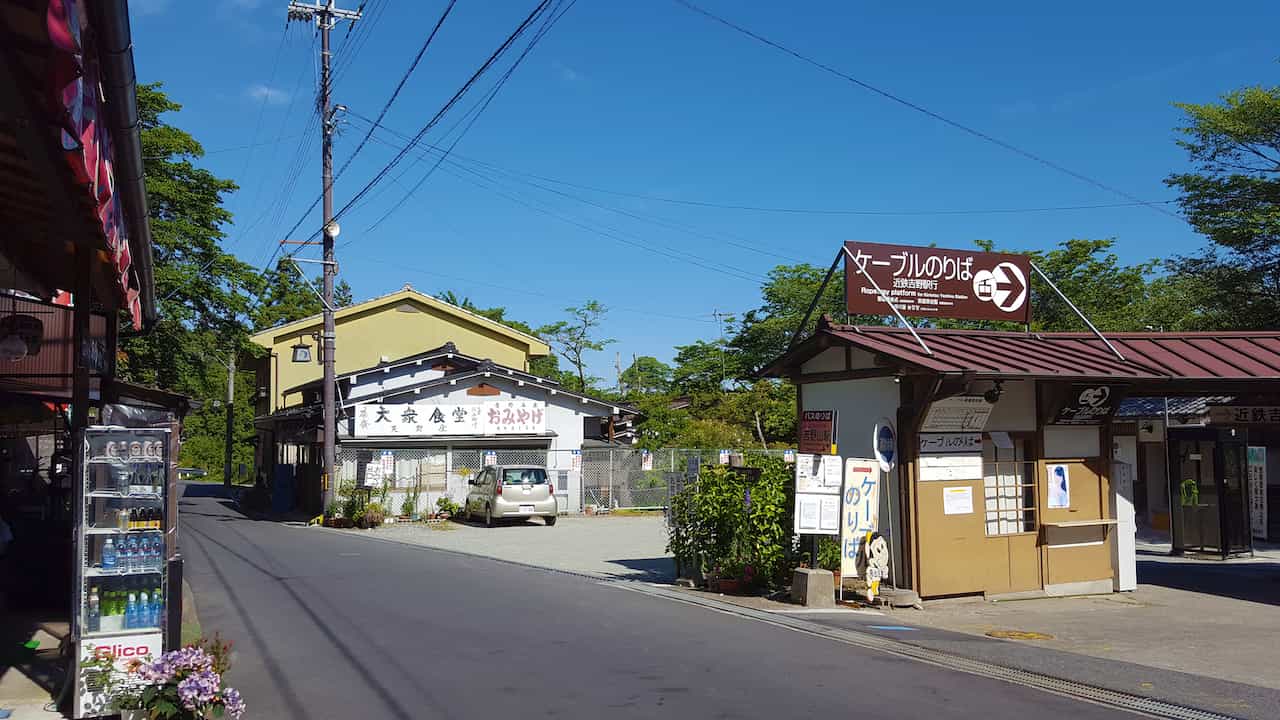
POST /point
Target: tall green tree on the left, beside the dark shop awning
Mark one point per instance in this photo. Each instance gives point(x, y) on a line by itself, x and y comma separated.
point(203, 293)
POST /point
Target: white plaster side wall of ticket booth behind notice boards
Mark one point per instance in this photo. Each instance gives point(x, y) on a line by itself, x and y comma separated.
point(861, 404)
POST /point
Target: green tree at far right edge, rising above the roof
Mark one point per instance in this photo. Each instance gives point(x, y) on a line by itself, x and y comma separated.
point(1233, 198)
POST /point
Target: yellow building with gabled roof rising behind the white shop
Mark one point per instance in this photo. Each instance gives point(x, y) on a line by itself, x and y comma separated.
point(382, 330)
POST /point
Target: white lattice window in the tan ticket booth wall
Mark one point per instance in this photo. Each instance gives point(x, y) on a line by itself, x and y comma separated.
point(1009, 486)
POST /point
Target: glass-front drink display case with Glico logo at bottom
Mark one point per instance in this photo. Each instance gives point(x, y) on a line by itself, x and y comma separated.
point(121, 585)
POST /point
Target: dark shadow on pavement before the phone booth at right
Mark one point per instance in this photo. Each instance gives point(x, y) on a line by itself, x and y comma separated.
point(1252, 582)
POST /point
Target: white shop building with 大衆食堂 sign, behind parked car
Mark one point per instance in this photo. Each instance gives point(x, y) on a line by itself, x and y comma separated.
point(426, 423)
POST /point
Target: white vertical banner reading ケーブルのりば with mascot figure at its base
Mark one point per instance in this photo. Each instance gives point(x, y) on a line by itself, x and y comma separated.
point(860, 522)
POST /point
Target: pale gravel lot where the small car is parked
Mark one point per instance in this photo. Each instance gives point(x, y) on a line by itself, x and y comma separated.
point(607, 546)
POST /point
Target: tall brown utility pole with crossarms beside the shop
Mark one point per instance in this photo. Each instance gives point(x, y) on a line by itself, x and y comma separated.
point(327, 16)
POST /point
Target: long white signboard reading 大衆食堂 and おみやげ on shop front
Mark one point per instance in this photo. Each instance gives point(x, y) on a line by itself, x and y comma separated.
point(488, 418)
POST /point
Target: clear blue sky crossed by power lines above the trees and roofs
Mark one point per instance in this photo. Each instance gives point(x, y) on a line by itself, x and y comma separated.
point(647, 98)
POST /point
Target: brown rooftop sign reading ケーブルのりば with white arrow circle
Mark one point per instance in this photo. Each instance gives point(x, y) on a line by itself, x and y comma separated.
point(935, 282)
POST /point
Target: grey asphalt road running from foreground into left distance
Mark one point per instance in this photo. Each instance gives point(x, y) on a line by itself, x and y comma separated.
point(333, 626)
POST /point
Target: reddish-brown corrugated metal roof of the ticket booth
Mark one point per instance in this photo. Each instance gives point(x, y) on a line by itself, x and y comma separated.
point(1155, 357)
